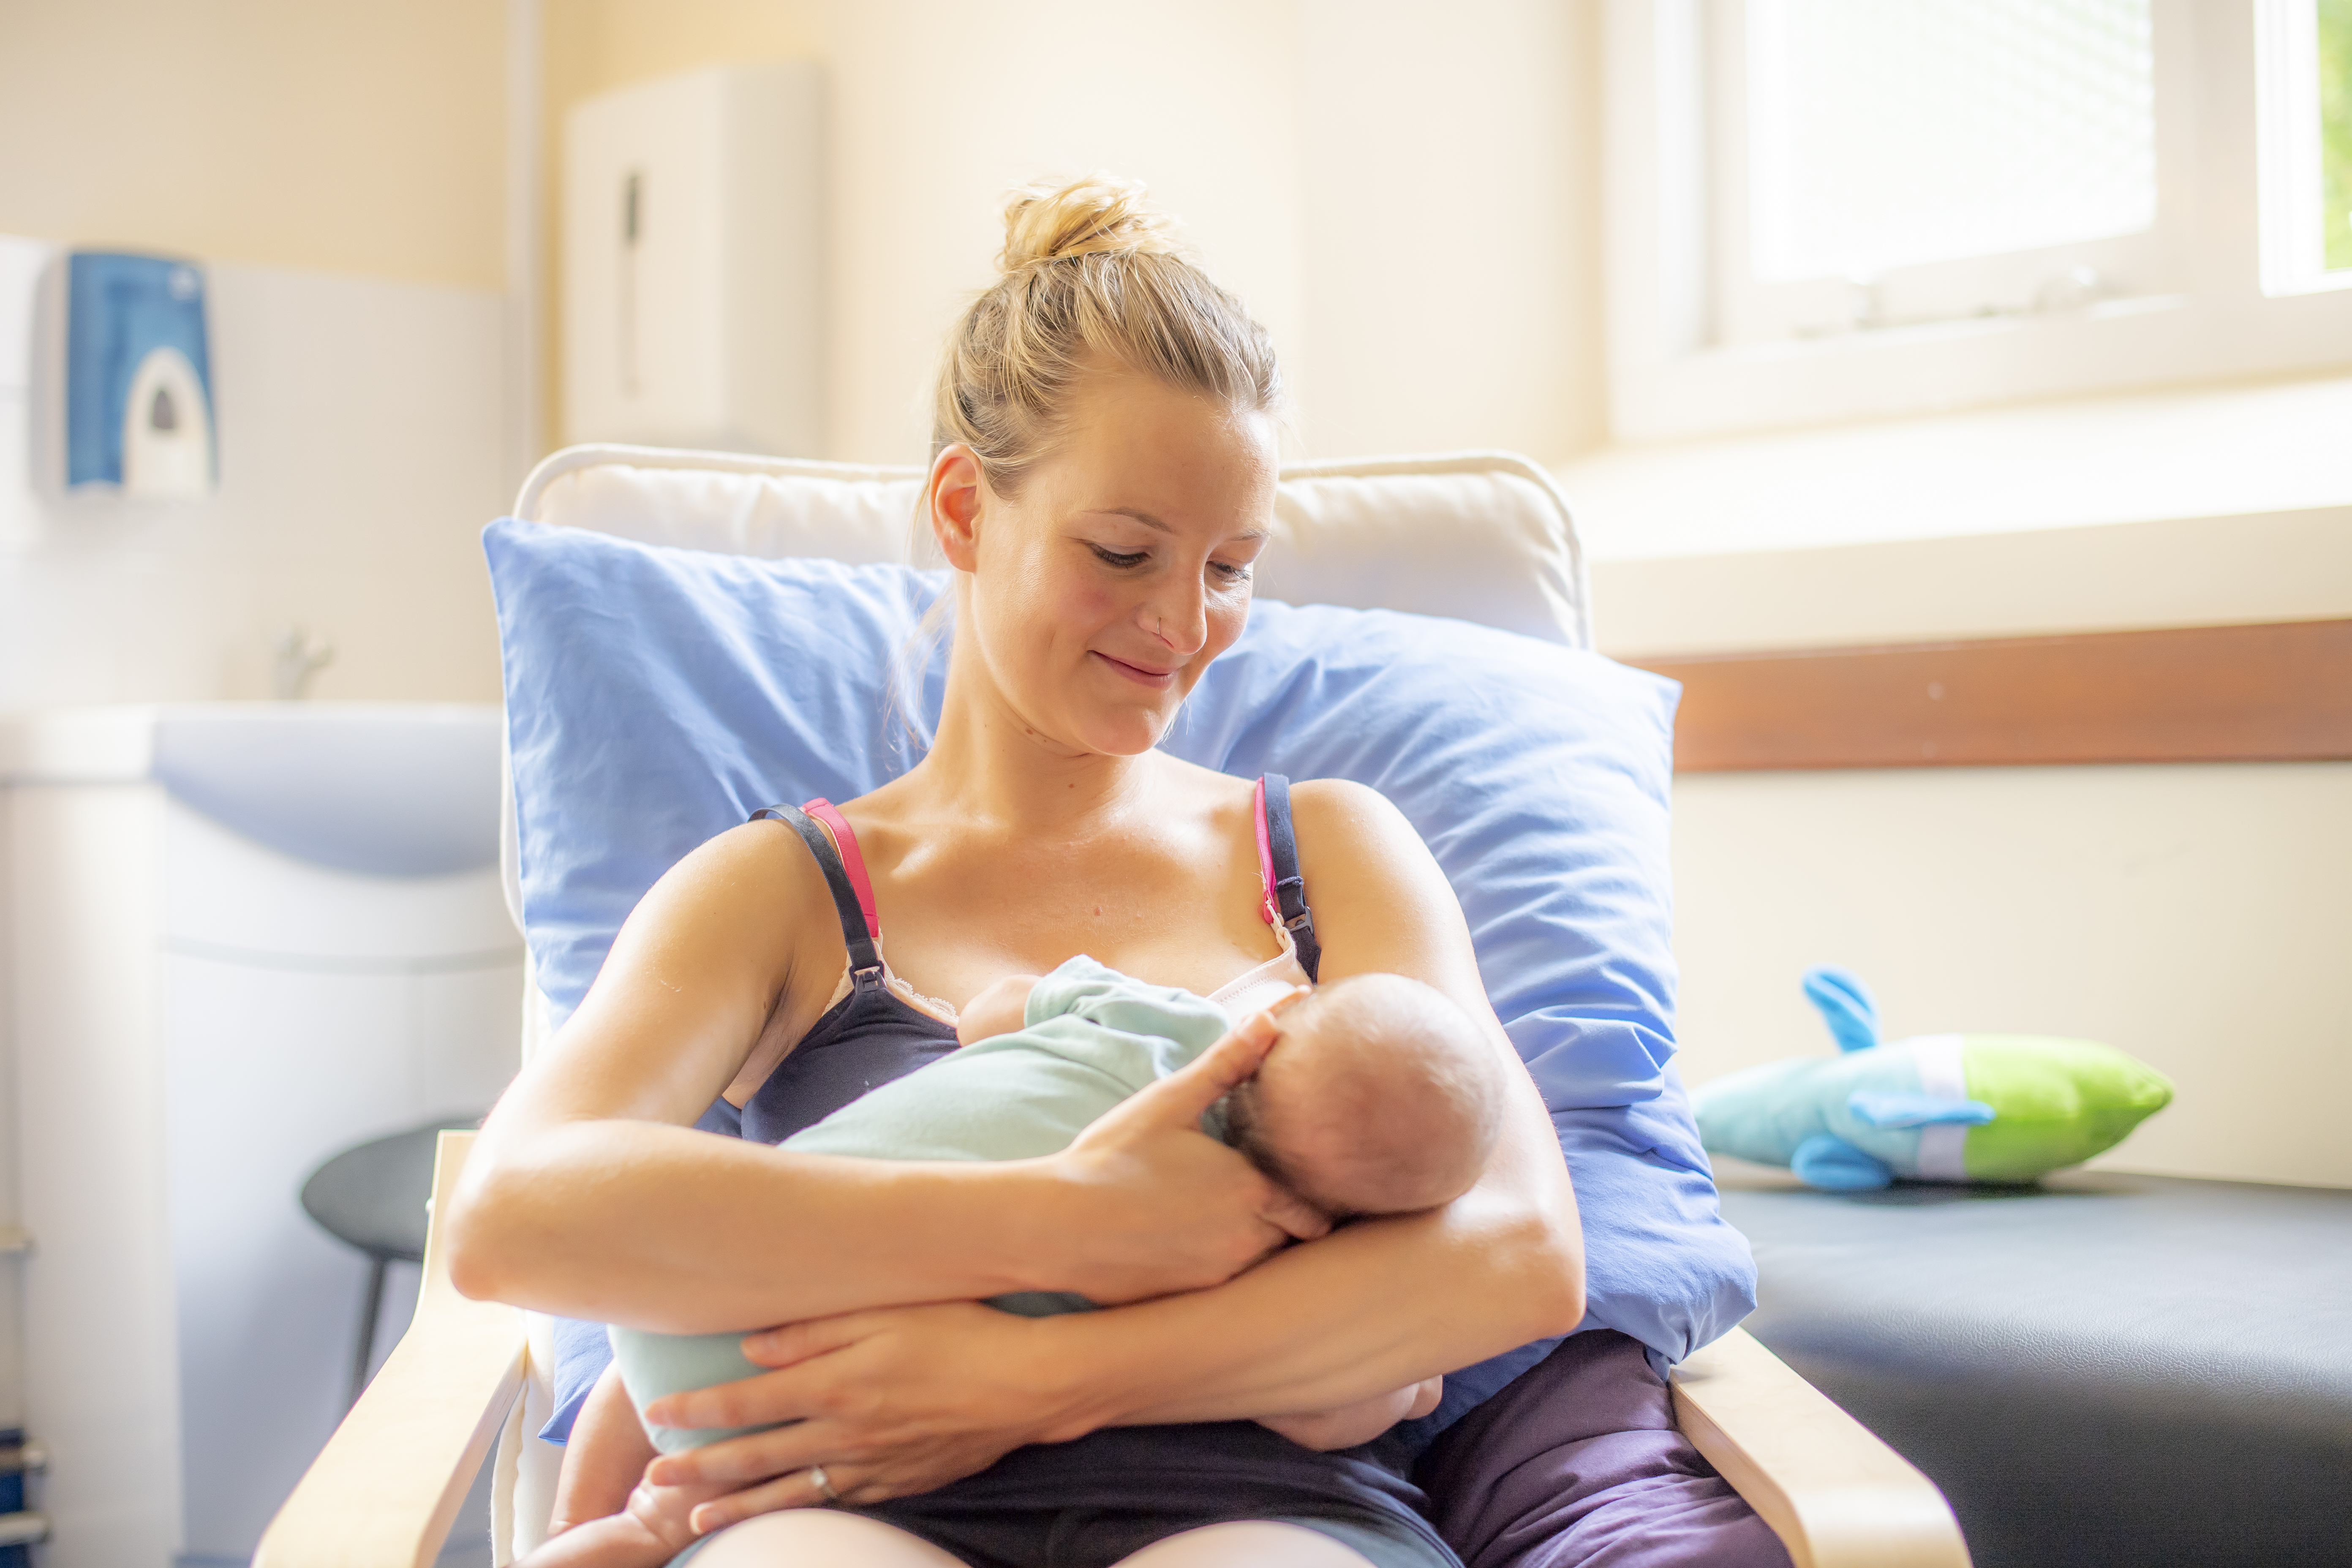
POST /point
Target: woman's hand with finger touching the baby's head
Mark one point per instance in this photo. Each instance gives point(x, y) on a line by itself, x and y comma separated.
point(1156, 1205)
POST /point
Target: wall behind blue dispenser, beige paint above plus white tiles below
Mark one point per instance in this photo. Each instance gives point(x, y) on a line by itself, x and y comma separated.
point(342, 173)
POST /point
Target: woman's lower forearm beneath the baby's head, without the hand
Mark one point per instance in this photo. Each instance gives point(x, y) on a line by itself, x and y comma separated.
point(1361, 1313)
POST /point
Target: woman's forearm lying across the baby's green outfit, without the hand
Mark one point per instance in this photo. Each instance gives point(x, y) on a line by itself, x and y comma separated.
point(683, 1233)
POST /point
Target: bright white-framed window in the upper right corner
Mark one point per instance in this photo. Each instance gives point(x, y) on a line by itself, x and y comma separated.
point(1847, 208)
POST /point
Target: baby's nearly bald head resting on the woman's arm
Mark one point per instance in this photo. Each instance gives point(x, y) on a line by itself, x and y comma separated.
point(1379, 1097)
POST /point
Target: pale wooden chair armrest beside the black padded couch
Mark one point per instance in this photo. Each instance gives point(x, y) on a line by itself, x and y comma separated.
point(1822, 1480)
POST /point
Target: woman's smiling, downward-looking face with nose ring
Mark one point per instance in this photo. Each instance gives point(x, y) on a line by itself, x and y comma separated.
point(1121, 570)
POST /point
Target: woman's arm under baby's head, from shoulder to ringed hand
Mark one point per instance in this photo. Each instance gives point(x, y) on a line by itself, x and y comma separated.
point(1368, 1311)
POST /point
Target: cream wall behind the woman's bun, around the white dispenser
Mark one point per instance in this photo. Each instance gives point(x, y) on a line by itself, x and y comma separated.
point(1325, 156)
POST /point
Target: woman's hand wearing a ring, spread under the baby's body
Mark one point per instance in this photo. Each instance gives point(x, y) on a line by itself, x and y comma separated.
point(890, 1402)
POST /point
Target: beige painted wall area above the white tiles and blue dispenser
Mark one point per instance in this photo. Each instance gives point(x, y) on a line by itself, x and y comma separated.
point(286, 133)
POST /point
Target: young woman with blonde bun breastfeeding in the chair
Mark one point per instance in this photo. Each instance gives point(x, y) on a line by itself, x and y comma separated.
point(1102, 481)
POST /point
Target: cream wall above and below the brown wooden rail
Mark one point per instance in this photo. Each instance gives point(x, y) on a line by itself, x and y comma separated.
point(2191, 916)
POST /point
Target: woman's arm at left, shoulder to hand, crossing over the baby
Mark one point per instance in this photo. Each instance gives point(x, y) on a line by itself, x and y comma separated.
point(589, 1193)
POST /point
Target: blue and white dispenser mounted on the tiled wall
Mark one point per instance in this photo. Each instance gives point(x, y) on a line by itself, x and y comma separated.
point(138, 375)
